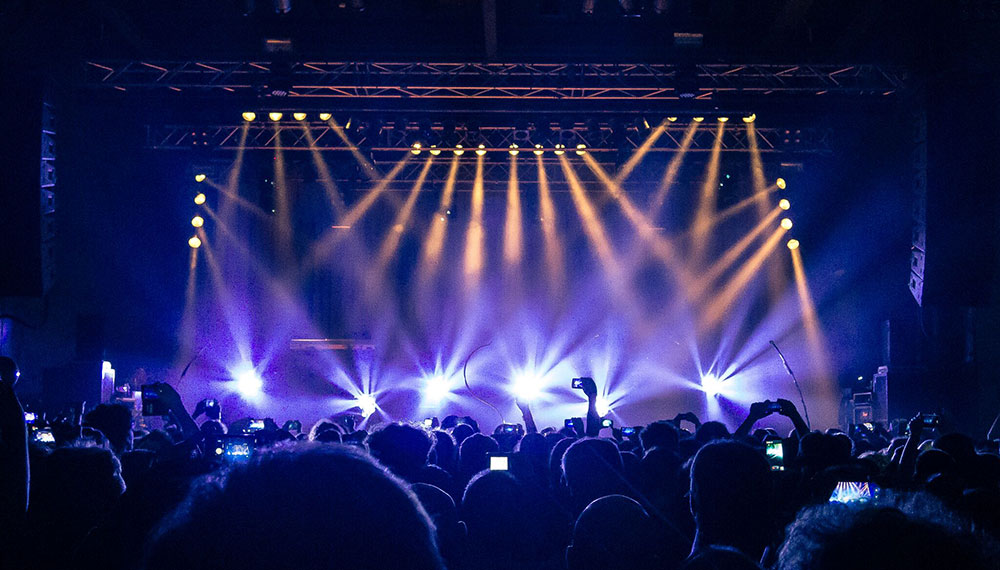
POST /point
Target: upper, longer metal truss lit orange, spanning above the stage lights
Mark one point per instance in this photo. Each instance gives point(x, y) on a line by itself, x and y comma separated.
point(498, 81)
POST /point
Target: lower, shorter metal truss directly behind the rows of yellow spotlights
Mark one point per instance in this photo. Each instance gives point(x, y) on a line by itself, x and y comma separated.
point(597, 139)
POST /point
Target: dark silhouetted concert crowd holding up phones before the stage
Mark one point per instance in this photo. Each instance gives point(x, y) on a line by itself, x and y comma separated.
point(677, 493)
